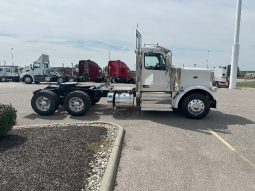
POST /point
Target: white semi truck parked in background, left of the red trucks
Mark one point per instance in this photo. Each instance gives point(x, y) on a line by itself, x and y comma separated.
point(39, 71)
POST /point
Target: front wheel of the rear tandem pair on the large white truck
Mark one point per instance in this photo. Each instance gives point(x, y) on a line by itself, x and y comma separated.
point(77, 103)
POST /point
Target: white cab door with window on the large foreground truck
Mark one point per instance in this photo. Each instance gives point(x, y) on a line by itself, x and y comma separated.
point(155, 77)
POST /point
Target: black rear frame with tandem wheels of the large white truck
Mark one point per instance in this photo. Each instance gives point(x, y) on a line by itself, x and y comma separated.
point(76, 99)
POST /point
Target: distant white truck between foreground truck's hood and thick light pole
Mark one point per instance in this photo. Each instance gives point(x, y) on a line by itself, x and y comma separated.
point(220, 77)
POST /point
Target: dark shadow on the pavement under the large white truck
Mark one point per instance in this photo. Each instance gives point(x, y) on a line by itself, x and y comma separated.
point(216, 120)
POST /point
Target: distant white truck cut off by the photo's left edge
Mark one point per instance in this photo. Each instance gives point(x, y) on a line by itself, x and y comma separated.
point(9, 73)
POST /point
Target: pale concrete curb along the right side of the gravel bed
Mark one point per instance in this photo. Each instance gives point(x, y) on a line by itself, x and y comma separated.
point(110, 173)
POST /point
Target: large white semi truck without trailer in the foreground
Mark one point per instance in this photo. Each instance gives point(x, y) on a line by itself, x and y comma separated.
point(160, 86)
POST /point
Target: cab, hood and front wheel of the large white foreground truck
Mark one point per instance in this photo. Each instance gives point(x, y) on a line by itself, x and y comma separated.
point(162, 86)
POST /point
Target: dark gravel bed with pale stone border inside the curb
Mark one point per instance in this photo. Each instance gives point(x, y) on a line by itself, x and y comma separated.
point(56, 157)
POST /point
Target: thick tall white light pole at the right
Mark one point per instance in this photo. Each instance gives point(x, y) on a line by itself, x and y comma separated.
point(236, 47)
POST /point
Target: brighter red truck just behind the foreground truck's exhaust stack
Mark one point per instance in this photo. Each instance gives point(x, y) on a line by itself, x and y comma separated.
point(119, 72)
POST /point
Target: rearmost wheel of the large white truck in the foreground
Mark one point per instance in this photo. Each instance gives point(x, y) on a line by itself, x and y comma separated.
point(45, 102)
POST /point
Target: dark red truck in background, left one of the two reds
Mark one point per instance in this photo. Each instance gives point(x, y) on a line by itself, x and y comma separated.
point(89, 71)
